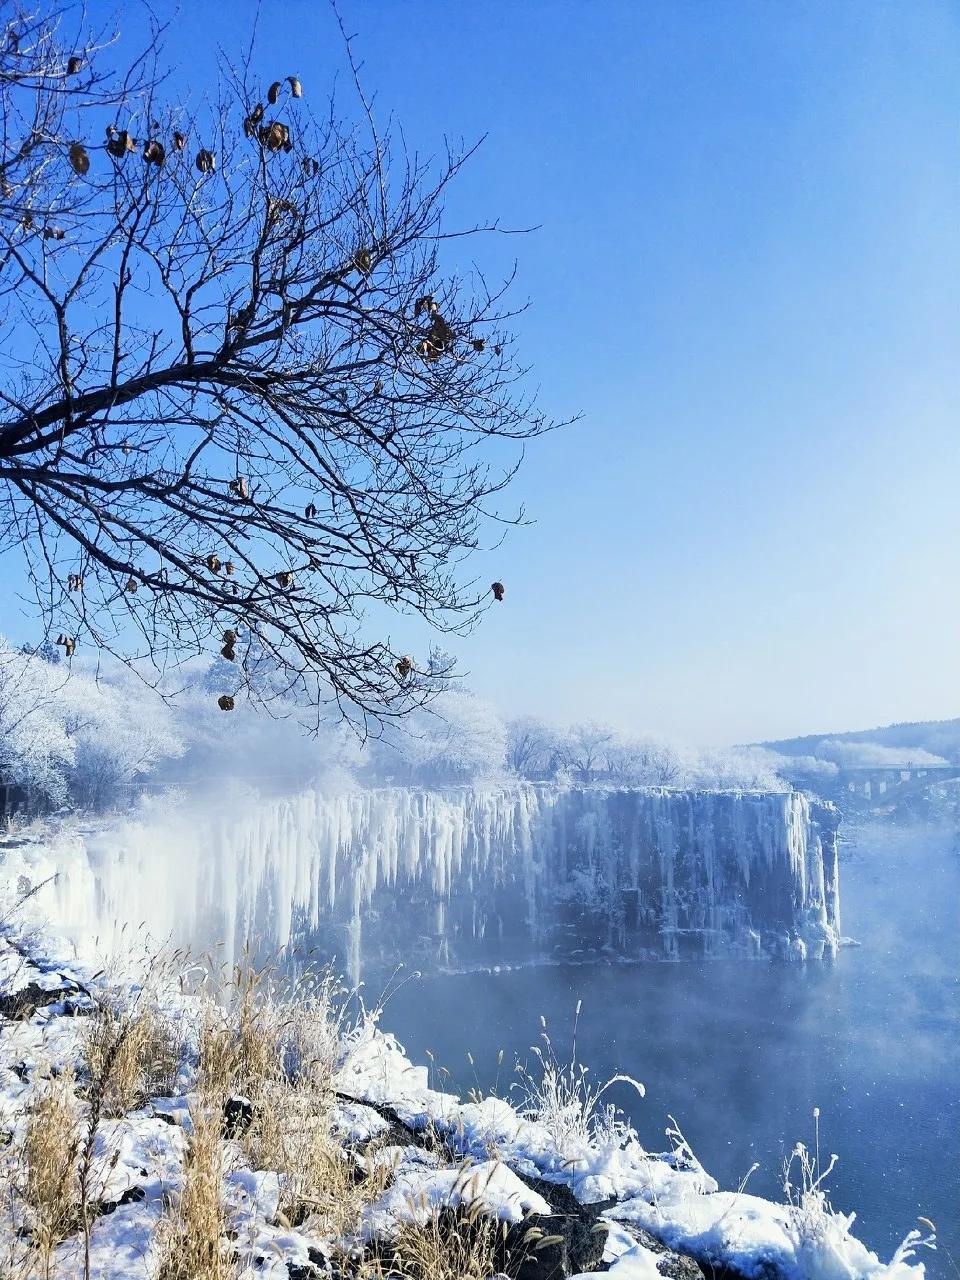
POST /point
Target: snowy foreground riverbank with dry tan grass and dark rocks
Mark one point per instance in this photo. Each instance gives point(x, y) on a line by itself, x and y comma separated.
point(156, 1131)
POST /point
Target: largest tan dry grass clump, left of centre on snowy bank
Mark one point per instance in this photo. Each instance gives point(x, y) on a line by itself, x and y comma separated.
point(275, 1044)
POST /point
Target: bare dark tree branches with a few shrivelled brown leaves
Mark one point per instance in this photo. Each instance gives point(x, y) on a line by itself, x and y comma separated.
point(239, 394)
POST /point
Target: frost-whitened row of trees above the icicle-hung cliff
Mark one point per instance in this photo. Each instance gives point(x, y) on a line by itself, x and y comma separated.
point(90, 737)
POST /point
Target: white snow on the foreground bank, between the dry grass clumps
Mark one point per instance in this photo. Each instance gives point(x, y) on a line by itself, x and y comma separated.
point(661, 1210)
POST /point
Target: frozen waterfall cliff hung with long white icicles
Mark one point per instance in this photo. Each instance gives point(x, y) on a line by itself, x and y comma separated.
point(465, 876)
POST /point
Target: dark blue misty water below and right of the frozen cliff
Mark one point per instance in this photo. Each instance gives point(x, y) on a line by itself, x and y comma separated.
point(742, 1053)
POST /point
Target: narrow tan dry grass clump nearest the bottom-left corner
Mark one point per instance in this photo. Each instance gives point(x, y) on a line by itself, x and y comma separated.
point(49, 1167)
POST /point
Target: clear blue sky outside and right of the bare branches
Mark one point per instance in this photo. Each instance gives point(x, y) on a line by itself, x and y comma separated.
point(747, 278)
